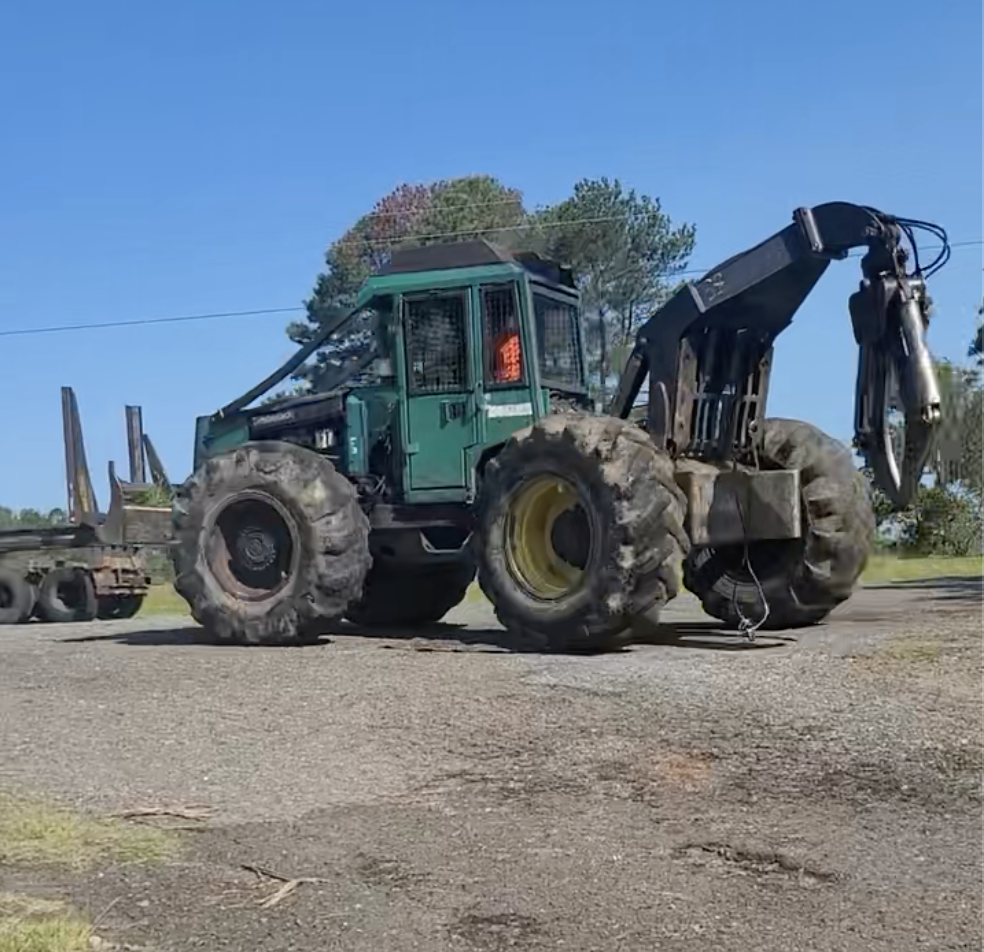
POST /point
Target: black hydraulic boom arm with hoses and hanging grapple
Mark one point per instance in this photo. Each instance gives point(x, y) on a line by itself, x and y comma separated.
point(707, 352)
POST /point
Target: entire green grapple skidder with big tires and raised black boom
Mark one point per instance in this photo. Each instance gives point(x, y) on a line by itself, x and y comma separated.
point(454, 437)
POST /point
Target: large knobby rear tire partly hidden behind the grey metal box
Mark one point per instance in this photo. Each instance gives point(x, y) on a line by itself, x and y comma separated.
point(804, 579)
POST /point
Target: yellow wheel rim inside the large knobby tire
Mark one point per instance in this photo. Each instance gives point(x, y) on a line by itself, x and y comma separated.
point(530, 552)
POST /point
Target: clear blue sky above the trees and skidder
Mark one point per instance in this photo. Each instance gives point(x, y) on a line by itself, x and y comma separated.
point(190, 157)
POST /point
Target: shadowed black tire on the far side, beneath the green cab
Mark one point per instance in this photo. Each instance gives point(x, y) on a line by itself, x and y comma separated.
point(407, 596)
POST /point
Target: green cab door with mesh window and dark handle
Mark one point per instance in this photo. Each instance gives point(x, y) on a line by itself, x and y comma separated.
point(440, 419)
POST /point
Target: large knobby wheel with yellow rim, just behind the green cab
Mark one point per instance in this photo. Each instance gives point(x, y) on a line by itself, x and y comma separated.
point(580, 531)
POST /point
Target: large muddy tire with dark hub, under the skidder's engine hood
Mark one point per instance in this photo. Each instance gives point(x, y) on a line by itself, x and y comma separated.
point(271, 544)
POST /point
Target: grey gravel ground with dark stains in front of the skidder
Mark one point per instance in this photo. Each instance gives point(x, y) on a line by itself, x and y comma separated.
point(448, 793)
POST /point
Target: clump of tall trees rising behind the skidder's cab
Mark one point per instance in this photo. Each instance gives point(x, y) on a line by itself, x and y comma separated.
point(621, 244)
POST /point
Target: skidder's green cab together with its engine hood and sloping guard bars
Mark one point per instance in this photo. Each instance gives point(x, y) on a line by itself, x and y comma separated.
point(449, 350)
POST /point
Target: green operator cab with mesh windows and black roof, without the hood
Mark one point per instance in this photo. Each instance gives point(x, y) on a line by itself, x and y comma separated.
point(478, 342)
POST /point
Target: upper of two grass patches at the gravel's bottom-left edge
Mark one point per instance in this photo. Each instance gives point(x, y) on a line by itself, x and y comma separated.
point(37, 833)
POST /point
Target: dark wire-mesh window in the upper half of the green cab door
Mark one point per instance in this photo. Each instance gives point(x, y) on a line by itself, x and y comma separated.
point(434, 327)
